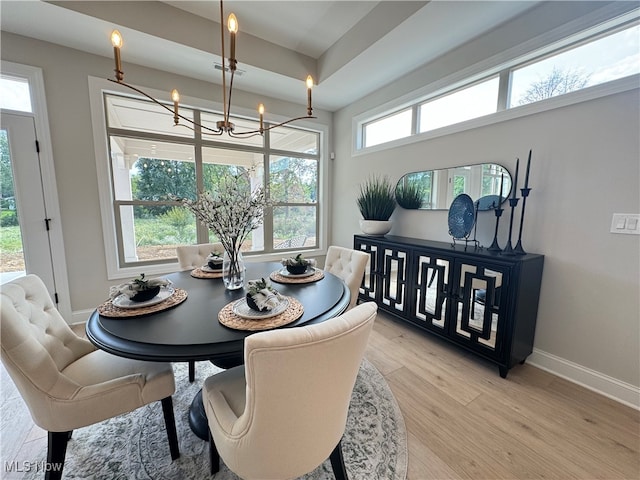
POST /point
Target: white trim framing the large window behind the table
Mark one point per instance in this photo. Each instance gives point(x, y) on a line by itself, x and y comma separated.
point(112, 239)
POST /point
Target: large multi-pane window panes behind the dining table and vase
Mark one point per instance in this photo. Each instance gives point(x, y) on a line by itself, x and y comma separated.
point(153, 163)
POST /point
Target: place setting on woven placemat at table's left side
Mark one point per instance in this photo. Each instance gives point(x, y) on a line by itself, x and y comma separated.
point(141, 296)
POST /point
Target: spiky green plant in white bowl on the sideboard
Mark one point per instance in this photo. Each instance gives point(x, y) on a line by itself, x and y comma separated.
point(376, 202)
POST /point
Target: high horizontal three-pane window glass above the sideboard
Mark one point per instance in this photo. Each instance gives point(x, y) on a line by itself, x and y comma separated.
point(611, 53)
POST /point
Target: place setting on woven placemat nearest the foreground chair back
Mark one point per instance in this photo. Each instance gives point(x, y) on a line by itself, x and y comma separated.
point(262, 308)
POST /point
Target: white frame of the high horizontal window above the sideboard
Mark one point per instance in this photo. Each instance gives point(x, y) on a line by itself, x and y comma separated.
point(502, 66)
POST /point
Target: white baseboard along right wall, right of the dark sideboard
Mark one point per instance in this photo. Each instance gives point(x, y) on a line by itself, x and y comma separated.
point(608, 386)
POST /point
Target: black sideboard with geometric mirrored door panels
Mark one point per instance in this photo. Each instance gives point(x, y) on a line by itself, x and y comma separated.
point(484, 302)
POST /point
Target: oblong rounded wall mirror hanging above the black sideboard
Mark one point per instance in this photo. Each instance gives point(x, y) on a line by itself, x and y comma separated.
point(435, 189)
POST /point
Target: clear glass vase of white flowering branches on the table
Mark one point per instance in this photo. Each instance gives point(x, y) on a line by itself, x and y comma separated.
point(232, 212)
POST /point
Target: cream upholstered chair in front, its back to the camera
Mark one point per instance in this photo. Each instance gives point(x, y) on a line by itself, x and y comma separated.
point(283, 413)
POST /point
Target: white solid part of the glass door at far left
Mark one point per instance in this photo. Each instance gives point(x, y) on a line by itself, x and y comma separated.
point(29, 197)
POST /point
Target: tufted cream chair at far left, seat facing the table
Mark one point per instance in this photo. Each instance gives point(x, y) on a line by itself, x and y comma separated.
point(64, 380)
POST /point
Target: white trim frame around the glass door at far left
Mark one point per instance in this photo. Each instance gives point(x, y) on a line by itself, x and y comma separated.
point(49, 185)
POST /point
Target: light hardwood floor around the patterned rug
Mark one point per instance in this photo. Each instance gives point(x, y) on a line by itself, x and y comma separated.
point(464, 421)
